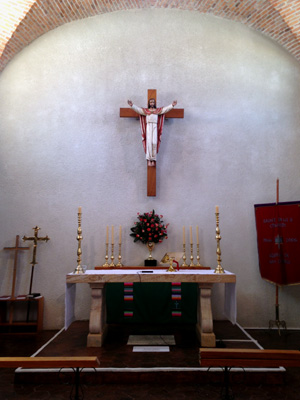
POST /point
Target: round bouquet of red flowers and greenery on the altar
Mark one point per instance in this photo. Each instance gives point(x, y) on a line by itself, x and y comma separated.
point(149, 228)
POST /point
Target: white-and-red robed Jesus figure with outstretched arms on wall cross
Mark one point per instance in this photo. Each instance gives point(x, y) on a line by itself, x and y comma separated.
point(151, 120)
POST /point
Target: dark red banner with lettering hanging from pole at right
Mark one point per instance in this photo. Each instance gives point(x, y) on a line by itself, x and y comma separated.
point(278, 242)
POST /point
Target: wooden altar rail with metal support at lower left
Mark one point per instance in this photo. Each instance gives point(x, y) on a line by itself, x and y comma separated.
point(75, 363)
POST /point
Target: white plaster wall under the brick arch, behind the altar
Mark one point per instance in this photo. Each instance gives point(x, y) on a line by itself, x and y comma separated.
point(63, 145)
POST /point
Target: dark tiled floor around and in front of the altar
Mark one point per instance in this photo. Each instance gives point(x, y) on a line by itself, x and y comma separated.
point(179, 376)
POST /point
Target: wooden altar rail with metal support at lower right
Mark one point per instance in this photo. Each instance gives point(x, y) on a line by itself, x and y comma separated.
point(246, 358)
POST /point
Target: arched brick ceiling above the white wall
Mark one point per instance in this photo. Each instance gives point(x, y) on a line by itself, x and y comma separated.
point(23, 21)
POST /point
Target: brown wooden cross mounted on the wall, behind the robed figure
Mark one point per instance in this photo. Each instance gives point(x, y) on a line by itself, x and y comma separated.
point(130, 113)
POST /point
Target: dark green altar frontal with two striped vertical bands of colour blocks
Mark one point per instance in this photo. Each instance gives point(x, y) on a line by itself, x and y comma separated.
point(151, 302)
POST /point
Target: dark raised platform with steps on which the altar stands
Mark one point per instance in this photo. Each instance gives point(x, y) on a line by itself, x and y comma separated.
point(119, 363)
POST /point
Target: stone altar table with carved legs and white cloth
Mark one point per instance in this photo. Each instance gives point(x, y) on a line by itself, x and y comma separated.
point(97, 280)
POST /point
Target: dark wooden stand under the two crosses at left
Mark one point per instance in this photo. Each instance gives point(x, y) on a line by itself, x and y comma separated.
point(18, 306)
